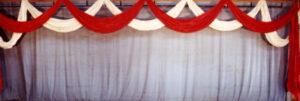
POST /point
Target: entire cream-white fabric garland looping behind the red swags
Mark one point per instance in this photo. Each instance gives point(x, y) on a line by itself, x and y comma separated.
point(72, 24)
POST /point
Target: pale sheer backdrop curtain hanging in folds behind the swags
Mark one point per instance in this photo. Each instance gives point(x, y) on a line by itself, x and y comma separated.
point(131, 65)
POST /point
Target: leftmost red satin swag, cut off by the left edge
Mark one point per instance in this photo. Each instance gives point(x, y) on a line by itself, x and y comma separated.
point(28, 26)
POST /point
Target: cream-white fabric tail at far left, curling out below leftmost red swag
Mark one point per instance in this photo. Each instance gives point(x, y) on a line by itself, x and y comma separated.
point(16, 36)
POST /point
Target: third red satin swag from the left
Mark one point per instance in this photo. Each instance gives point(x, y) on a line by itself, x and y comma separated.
point(186, 25)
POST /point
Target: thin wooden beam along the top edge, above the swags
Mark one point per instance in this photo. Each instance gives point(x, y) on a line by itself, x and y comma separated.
point(241, 1)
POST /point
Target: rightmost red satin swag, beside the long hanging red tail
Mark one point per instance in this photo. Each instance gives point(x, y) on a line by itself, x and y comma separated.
point(259, 26)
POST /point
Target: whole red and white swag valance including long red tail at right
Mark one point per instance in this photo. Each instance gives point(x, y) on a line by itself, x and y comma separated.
point(203, 19)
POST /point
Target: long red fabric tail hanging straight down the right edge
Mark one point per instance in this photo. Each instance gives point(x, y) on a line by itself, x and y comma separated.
point(294, 59)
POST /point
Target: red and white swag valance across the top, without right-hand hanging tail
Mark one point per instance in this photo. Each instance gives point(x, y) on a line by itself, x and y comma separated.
point(69, 25)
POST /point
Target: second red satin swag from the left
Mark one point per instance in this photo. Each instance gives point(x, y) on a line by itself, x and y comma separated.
point(105, 25)
